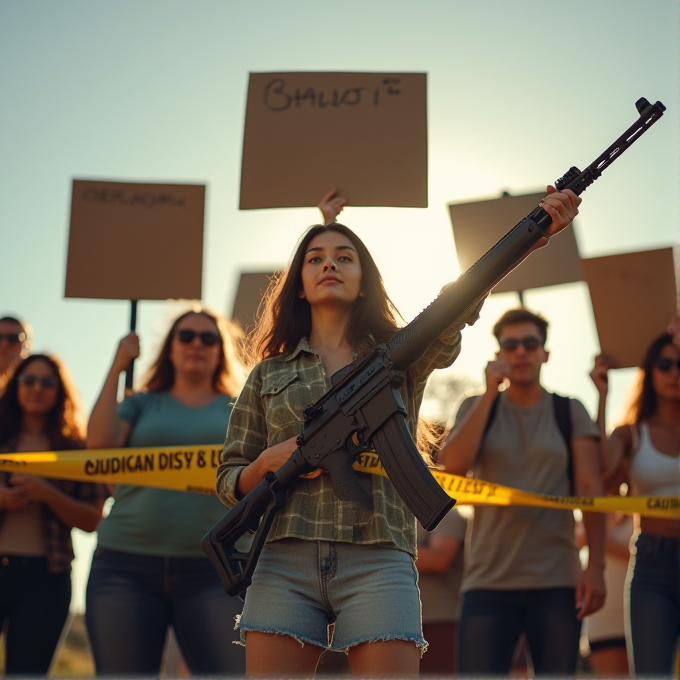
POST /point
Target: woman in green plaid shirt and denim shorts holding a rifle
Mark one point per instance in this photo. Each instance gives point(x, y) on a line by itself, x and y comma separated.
point(328, 561)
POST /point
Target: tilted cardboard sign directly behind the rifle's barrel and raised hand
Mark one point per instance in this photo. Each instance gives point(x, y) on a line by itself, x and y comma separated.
point(477, 225)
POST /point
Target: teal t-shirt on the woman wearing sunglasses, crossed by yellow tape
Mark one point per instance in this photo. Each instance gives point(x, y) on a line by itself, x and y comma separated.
point(161, 522)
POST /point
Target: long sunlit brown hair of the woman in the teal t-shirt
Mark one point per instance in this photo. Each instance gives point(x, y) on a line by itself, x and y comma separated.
point(229, 373)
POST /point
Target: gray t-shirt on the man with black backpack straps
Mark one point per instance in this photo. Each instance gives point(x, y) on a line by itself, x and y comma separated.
point(523, 547)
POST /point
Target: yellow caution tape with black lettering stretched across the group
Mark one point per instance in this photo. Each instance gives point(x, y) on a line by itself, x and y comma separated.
point(192, 468)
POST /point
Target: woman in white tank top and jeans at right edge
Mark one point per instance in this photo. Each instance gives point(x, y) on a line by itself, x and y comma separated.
point(644, 453)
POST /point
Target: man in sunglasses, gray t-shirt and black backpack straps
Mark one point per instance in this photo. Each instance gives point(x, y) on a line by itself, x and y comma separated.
point(523, 573)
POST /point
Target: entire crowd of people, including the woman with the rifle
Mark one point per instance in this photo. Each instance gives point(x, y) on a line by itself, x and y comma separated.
point(481, 590)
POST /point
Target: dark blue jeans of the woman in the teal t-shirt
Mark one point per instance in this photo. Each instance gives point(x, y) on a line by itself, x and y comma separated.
point(132, 599)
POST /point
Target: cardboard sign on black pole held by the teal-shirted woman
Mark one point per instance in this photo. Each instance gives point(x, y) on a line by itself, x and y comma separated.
point(135, 241)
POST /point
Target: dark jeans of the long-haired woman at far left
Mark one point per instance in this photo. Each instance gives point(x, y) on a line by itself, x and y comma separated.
point(34, 606)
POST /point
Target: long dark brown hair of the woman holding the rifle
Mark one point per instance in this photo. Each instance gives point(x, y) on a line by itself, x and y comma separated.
point(284, 318)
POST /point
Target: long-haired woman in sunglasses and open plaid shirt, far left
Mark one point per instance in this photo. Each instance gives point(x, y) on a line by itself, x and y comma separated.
point(39, 411)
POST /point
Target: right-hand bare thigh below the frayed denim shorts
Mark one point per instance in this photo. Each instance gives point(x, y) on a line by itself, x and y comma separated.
point(385, 659)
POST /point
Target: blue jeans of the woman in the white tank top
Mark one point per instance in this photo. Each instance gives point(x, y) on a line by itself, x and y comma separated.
point(653, 604)
